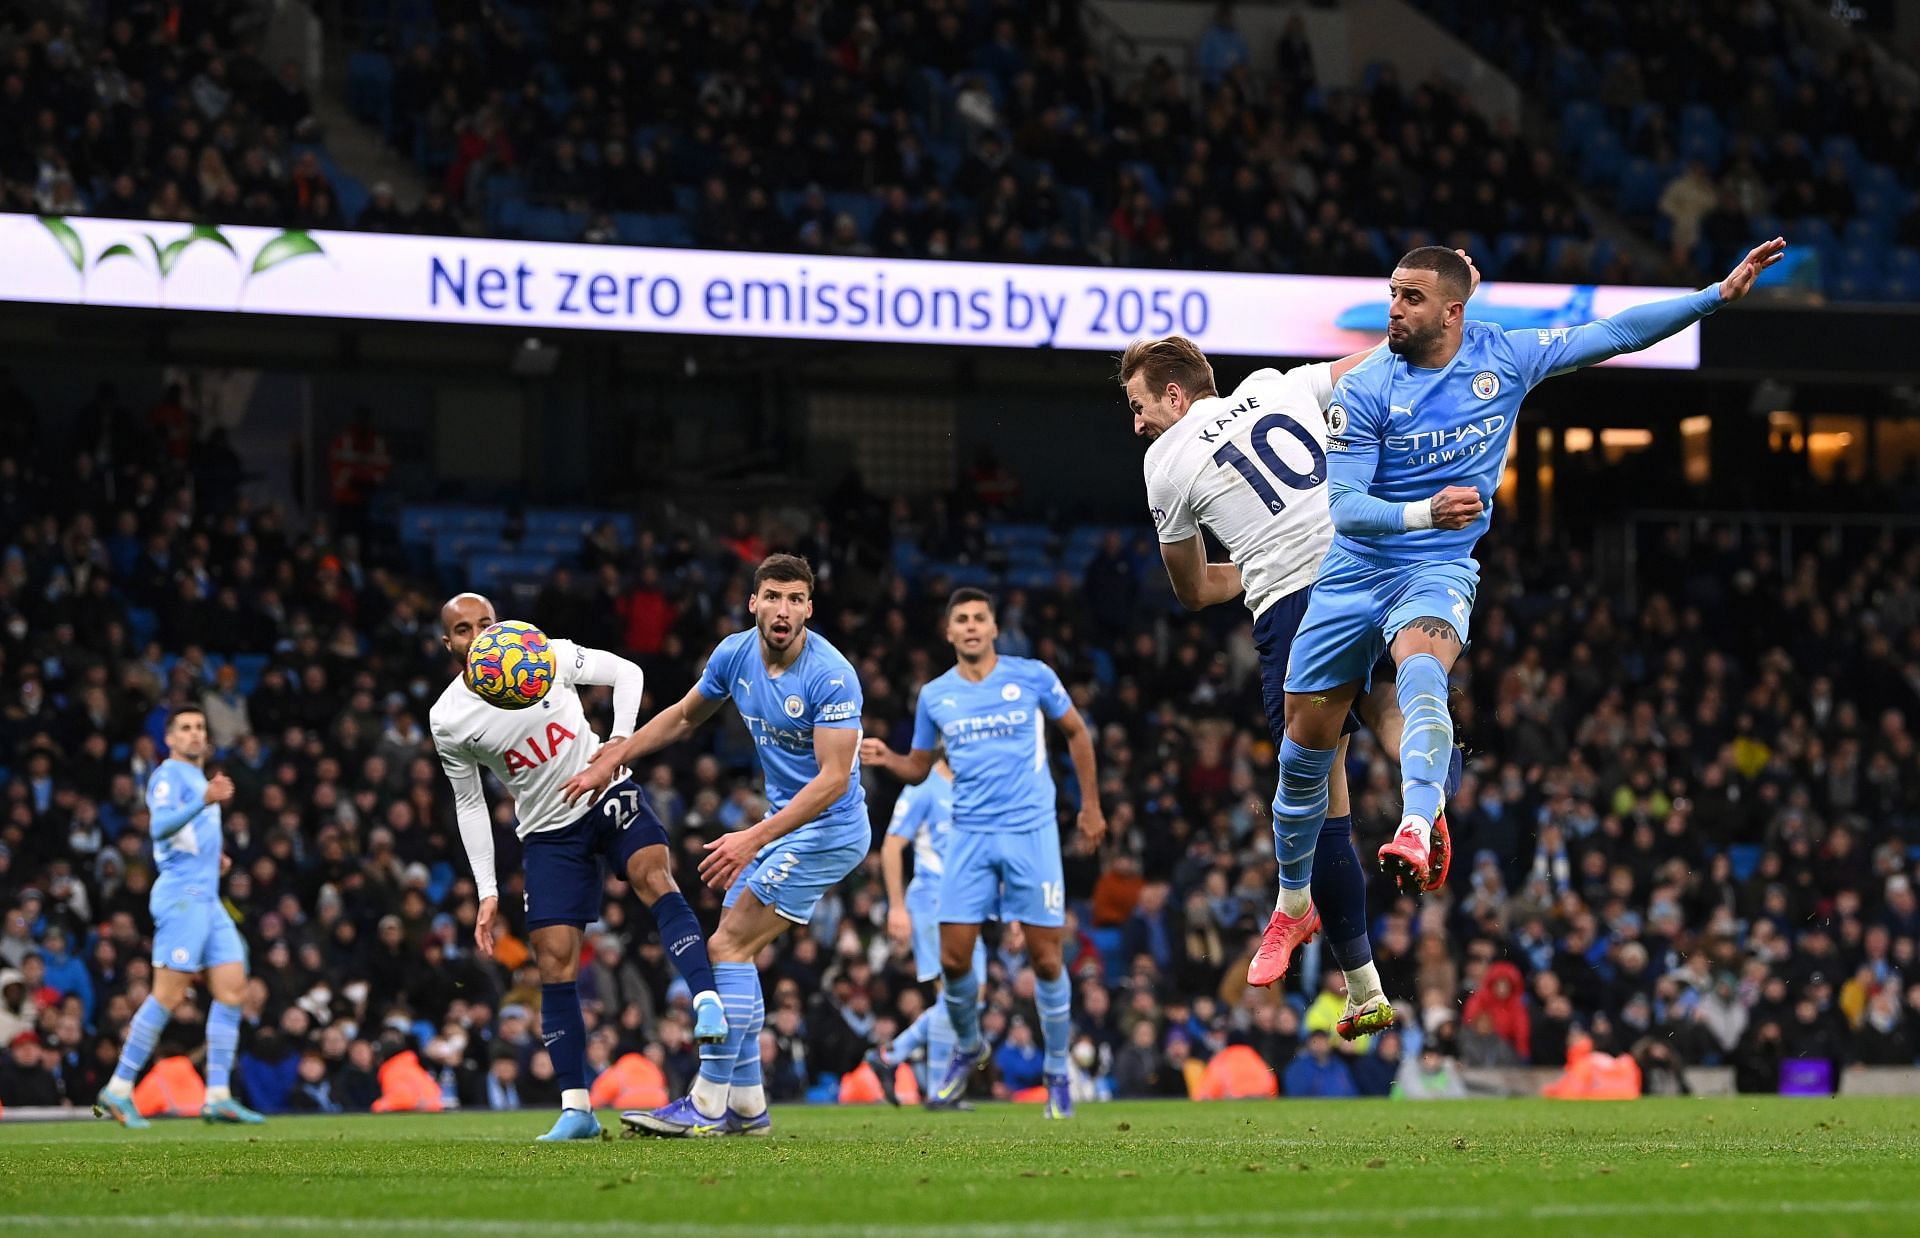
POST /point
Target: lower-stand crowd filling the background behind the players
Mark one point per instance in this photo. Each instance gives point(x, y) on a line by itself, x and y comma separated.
point(1687, 830)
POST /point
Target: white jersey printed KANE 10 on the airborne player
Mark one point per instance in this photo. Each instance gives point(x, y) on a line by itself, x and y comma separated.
point(1253, 471)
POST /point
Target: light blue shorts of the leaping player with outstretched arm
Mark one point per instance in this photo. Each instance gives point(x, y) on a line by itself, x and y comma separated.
point(1358, 609)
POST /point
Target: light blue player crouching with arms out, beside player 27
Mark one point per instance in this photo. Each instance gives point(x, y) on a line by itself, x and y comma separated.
point(802, 702)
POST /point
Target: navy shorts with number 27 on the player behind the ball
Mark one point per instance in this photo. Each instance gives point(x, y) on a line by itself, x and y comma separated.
point(564, 867)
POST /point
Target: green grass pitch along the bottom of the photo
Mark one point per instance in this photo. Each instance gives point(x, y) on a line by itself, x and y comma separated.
point(1487, 1170)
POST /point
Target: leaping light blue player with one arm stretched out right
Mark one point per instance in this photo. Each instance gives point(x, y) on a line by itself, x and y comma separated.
point(1418, 442)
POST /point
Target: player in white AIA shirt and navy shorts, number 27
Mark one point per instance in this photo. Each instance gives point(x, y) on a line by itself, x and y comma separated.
point(535, 753)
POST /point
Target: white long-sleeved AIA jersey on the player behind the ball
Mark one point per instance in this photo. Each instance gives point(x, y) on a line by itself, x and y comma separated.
point(533, 751)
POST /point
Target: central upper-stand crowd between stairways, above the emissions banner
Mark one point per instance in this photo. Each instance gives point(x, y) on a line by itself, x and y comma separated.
point(946, 130)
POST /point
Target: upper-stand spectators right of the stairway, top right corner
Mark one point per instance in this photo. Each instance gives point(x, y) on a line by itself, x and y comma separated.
point(1716, 122)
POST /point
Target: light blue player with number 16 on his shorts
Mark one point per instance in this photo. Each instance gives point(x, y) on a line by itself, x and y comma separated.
point(1005, 859)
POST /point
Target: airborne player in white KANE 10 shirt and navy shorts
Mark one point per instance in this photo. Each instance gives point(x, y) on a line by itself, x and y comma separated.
point(1251, 469)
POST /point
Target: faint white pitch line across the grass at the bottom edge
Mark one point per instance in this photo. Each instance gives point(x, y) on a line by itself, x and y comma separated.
point(1326, 1216)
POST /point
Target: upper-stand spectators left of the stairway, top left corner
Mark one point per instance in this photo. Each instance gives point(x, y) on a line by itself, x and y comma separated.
point(158, 112)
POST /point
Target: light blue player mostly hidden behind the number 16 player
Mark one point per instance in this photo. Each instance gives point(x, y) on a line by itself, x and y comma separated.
point(924, 821)
